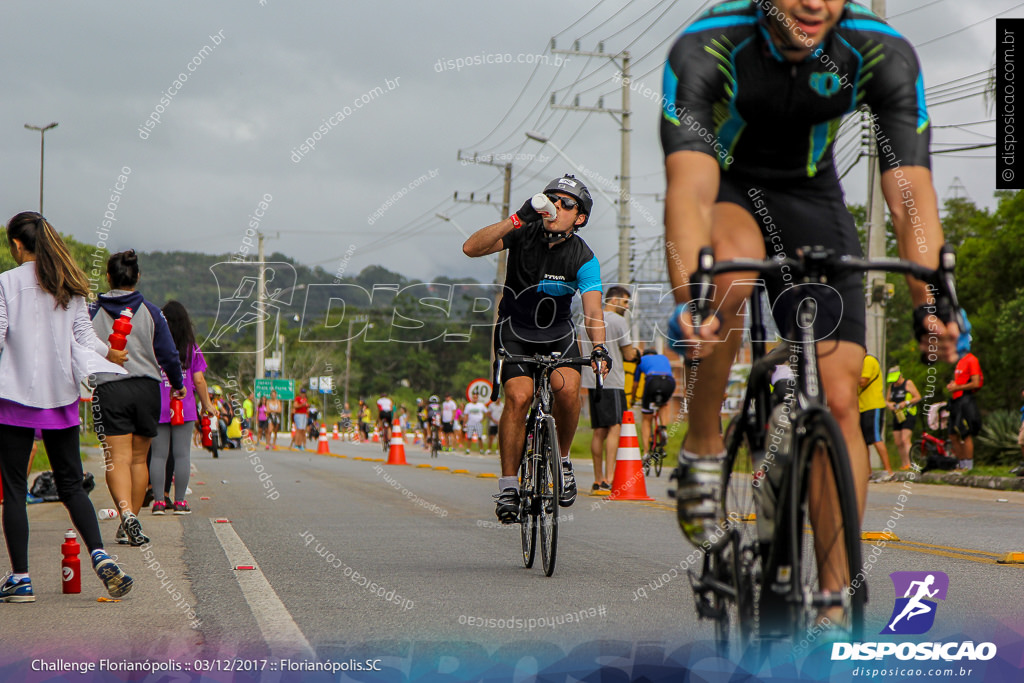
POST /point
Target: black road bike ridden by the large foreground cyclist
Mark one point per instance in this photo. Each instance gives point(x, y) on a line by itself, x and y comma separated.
point(772, 577)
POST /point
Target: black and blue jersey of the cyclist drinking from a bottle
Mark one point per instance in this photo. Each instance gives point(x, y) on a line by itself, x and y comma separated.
point(541, 281)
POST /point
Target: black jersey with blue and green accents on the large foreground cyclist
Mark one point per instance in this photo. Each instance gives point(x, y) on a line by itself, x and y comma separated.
point(731, 94)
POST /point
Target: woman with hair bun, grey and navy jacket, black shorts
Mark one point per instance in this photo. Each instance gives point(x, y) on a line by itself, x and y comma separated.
point(130, 405)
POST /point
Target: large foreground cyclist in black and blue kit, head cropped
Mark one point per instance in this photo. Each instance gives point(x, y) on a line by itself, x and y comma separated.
point(754, 96)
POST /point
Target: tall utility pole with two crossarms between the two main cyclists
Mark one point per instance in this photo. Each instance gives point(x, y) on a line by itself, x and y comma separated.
point(625, 276)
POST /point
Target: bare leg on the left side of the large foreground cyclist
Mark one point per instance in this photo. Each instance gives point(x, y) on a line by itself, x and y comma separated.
point(735, 235)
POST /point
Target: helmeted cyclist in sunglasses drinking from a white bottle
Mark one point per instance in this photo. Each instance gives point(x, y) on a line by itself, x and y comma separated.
point(548, 263)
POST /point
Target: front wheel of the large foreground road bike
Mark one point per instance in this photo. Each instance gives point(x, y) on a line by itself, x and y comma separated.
point(830, 557)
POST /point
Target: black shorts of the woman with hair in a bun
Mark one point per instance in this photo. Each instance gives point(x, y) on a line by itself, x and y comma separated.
point(127, 407)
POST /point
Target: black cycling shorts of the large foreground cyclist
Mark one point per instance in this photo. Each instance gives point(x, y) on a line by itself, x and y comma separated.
point(795, 216)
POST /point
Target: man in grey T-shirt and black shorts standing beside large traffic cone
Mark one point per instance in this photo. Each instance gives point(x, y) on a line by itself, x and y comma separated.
point(607, 414)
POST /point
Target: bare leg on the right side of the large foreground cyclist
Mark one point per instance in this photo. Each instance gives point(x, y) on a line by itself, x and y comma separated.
point(840, 364)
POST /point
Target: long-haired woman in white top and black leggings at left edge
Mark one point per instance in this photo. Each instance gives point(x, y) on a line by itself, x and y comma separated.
point(48, 348)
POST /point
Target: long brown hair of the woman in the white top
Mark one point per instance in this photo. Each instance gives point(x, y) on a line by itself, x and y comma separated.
point(59, 274)
